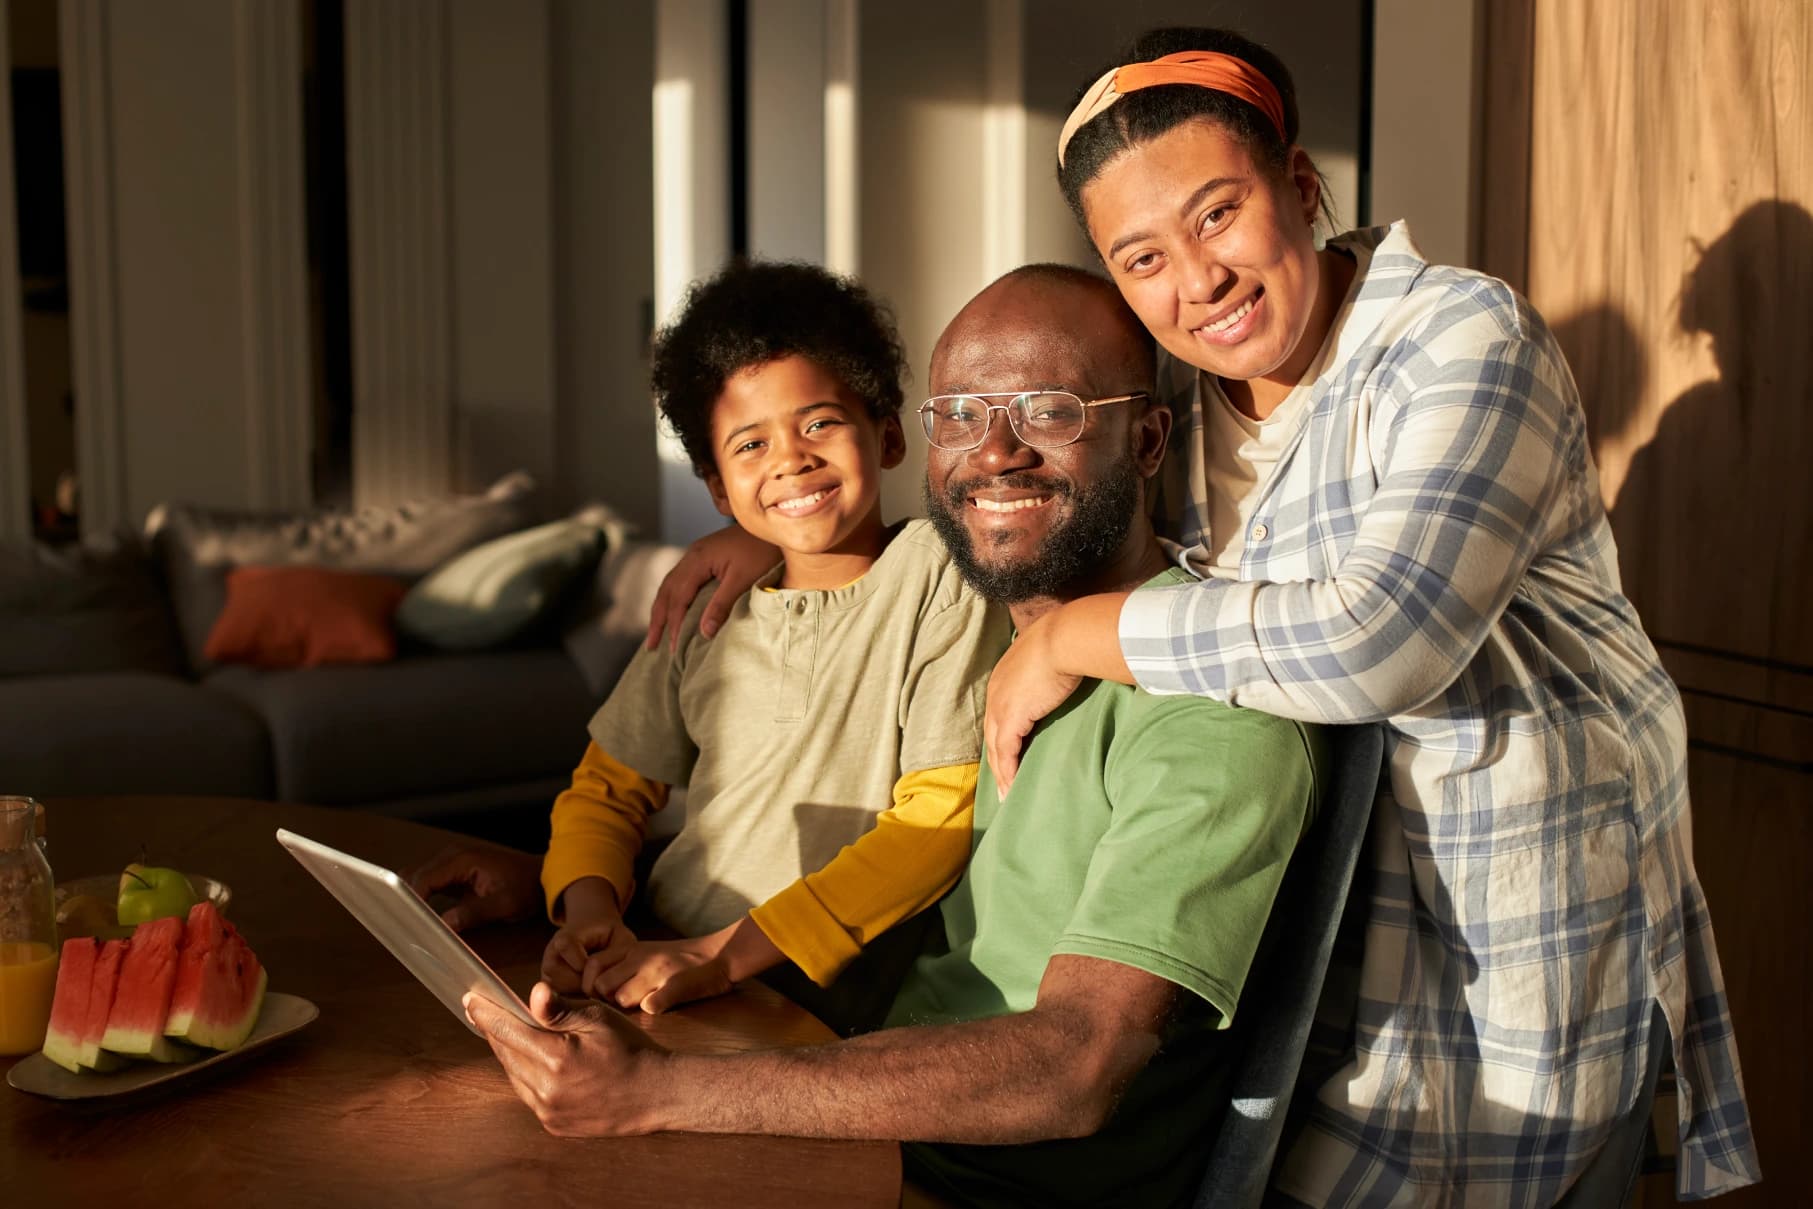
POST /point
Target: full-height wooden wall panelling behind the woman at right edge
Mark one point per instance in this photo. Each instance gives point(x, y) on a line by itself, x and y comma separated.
point(1671, 246)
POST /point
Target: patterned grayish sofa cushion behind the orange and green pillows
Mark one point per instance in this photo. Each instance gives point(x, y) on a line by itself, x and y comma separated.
point(200, 545)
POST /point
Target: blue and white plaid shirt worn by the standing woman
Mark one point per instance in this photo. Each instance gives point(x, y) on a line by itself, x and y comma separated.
point(1433, 554)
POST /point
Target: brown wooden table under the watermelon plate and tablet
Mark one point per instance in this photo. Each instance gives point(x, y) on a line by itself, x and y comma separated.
point(385, 1099)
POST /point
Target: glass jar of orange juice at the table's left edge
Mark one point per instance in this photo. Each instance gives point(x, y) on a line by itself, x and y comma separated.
point(28, 929)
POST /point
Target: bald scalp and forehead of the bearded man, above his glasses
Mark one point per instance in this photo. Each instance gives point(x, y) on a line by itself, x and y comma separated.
point(1049, 304)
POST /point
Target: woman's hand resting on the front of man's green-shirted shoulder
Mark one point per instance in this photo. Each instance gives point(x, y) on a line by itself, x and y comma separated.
point(1043, 668)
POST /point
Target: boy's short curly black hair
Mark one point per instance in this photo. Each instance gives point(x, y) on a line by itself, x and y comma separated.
point(757, 313)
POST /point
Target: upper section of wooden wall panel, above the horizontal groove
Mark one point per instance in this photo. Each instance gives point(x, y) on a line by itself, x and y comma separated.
point(1672, 247)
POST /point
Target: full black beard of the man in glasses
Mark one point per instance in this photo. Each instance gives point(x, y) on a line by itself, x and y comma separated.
point(1069, 557)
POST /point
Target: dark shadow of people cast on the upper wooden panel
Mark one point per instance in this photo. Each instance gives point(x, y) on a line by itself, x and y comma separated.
point(1707, 490)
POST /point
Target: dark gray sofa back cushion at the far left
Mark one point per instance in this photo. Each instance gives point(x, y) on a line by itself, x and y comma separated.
point(90, 608)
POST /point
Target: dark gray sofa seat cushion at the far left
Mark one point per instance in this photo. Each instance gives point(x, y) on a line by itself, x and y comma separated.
point(128, 733)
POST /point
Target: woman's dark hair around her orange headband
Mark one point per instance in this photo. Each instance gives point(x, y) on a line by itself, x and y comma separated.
point(1150, 113)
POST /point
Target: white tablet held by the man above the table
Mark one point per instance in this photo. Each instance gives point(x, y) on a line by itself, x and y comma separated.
point(407, 925)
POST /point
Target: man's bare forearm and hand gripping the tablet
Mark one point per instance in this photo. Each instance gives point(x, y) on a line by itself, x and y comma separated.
point(1052, 1072)
